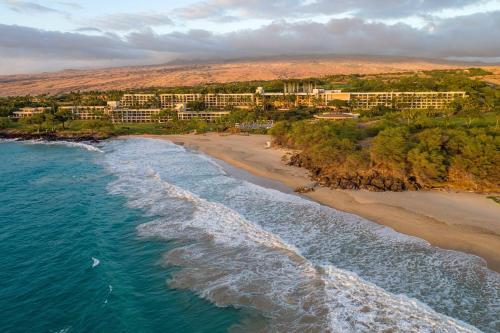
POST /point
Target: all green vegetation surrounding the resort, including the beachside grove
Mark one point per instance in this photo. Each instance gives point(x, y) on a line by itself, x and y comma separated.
point(386, 149)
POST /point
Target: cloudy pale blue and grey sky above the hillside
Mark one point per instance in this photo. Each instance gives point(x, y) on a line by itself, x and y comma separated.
point(45, 35)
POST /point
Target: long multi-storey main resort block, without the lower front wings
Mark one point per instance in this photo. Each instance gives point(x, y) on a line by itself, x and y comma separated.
point(295, 94)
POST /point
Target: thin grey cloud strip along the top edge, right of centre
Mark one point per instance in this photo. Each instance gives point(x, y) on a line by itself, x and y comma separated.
point(217, 10)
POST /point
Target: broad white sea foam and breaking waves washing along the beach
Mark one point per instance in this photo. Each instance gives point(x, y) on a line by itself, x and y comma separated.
point(303, 265)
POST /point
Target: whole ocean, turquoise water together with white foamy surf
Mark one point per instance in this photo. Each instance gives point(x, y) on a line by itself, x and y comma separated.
point(142, 235)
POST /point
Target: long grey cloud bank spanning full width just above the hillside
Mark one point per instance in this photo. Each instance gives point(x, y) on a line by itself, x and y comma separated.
point(463, 37)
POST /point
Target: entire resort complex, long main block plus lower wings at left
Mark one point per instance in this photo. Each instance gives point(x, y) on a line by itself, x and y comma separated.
point(144, 108)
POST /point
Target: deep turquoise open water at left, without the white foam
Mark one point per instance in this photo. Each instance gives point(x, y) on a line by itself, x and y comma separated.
point(55, 215)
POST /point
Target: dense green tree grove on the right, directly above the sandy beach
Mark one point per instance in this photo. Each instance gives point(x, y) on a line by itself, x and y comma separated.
point(389, 154)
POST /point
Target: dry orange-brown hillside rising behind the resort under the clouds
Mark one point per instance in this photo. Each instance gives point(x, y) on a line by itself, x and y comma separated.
point(193, 74)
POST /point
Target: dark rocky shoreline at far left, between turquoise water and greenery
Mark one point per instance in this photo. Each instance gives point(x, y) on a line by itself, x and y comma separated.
point(52, 136)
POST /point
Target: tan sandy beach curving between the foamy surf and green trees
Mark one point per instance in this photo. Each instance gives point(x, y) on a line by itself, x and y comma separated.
point(465, 222)
